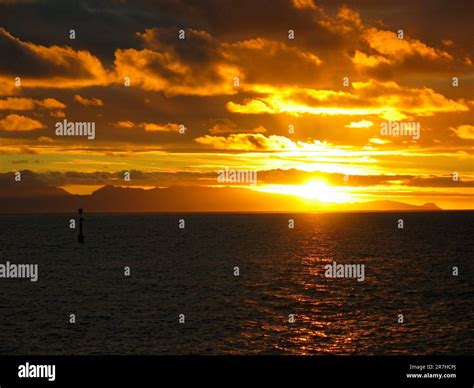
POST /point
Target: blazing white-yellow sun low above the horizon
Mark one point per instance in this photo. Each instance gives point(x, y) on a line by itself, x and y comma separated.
point(316, 190)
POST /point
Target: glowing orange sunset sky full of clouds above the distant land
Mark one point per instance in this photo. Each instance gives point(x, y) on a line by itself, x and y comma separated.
point(302, 112)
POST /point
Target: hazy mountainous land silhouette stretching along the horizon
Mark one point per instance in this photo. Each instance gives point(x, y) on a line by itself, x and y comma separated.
point(40, 198)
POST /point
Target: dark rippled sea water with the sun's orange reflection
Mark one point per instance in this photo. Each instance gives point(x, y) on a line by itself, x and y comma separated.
point(407, 271)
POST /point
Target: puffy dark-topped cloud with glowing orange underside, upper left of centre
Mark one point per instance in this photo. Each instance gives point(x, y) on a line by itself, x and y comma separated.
point(167, 64)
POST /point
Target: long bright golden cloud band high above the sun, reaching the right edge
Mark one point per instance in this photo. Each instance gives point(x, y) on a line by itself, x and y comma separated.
point(387, 100)
